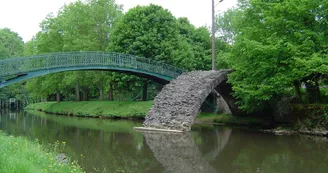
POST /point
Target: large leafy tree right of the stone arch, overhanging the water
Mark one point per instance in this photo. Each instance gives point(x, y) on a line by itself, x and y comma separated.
point(277, 45)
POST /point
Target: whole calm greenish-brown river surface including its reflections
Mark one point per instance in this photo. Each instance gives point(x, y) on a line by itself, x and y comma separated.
point(112, 146)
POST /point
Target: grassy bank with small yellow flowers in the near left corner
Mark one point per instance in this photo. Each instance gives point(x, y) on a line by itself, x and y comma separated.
point(18, 154)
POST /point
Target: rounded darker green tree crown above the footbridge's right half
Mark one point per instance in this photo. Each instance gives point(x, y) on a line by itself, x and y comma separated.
point(154, 35)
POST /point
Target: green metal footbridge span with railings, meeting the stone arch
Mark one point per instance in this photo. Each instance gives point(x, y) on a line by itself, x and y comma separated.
point(14, 70)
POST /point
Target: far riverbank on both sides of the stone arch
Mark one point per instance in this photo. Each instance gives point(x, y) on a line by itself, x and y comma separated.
point(138, 110)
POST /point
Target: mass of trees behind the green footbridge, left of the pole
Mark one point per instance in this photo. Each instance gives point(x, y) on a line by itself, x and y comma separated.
point(100, 25)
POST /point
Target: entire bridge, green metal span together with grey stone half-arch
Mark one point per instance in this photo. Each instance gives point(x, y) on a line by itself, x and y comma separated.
point(175, 107)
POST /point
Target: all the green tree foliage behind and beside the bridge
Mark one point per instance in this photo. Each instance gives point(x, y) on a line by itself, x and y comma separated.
point(276, 48)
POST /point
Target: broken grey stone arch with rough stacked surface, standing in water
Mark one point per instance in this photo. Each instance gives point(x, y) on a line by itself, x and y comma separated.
point(177, 105)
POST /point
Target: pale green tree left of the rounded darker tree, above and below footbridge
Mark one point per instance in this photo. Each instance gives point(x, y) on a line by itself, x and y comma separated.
point(79, 26)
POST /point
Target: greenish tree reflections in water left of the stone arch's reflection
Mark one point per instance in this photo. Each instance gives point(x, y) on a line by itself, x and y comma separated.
point(103, 151)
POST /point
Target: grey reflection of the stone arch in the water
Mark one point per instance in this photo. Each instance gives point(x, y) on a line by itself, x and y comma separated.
point(177, 152)
